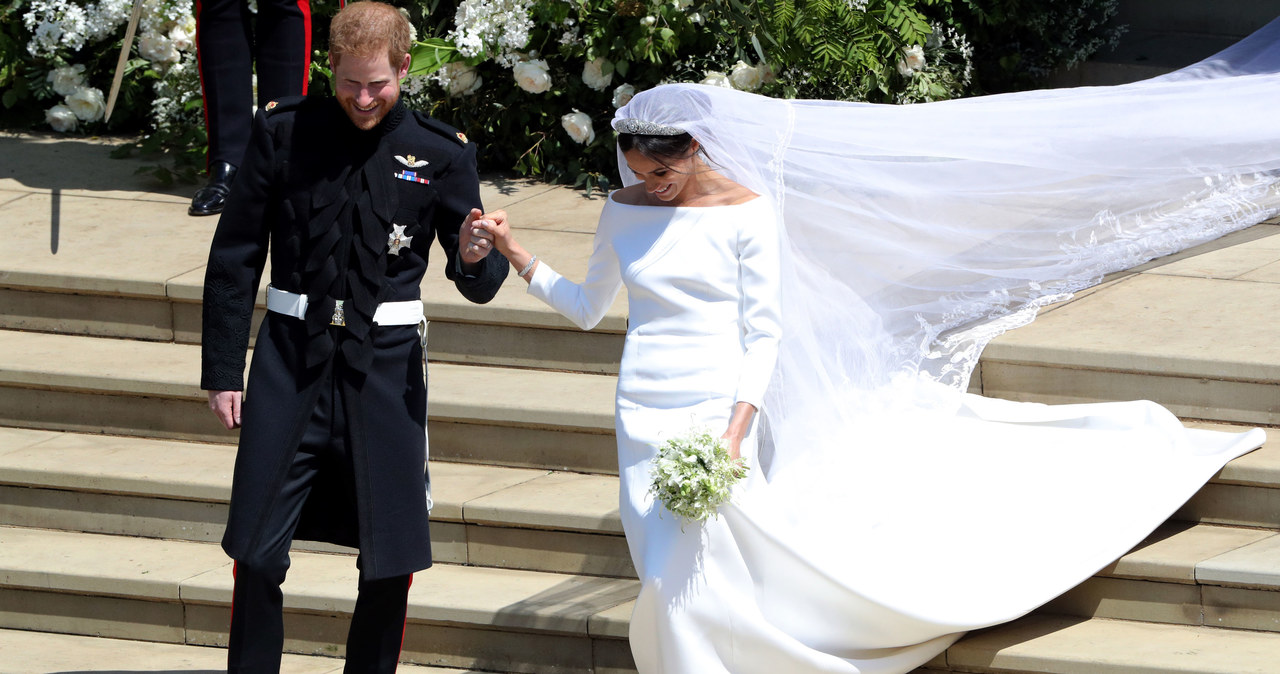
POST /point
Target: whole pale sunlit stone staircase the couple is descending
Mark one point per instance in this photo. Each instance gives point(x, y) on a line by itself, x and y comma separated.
point(115, 476)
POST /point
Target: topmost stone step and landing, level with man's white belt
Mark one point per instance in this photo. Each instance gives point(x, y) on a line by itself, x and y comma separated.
point(66, 270)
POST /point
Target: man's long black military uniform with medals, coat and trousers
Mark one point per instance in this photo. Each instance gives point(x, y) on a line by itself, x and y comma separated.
point(333, 439)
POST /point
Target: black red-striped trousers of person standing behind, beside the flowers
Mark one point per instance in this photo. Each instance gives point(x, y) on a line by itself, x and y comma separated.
point(228, 38)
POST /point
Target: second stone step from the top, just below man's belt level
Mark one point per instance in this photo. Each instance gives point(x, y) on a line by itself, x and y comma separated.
point(482, 415)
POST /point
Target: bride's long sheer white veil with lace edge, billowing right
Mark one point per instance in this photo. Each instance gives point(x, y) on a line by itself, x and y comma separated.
point(915, 235)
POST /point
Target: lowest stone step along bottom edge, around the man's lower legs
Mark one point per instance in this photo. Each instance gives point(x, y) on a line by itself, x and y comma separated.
point(30, 653)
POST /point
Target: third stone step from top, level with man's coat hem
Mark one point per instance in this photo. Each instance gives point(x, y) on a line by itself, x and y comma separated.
point(484, 516)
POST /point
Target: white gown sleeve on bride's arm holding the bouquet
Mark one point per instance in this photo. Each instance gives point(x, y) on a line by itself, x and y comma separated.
point(760, 285)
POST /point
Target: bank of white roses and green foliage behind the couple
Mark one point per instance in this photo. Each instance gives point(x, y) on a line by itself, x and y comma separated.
point(536, 82)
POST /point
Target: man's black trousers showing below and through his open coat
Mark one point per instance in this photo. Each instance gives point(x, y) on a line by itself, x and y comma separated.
point(258, 623)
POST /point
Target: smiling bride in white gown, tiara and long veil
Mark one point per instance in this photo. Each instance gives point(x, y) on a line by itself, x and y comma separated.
point(817, 281)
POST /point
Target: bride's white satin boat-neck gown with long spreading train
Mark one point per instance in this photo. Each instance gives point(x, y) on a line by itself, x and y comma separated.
point(876, 554)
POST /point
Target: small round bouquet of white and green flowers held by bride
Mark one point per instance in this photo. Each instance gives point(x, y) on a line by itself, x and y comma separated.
point(693, 475)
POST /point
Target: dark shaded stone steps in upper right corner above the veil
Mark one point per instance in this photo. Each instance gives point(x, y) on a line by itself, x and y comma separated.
point(1165, 35)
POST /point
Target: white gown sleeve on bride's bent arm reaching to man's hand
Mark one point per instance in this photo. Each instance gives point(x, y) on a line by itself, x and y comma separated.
point(583, 304)
